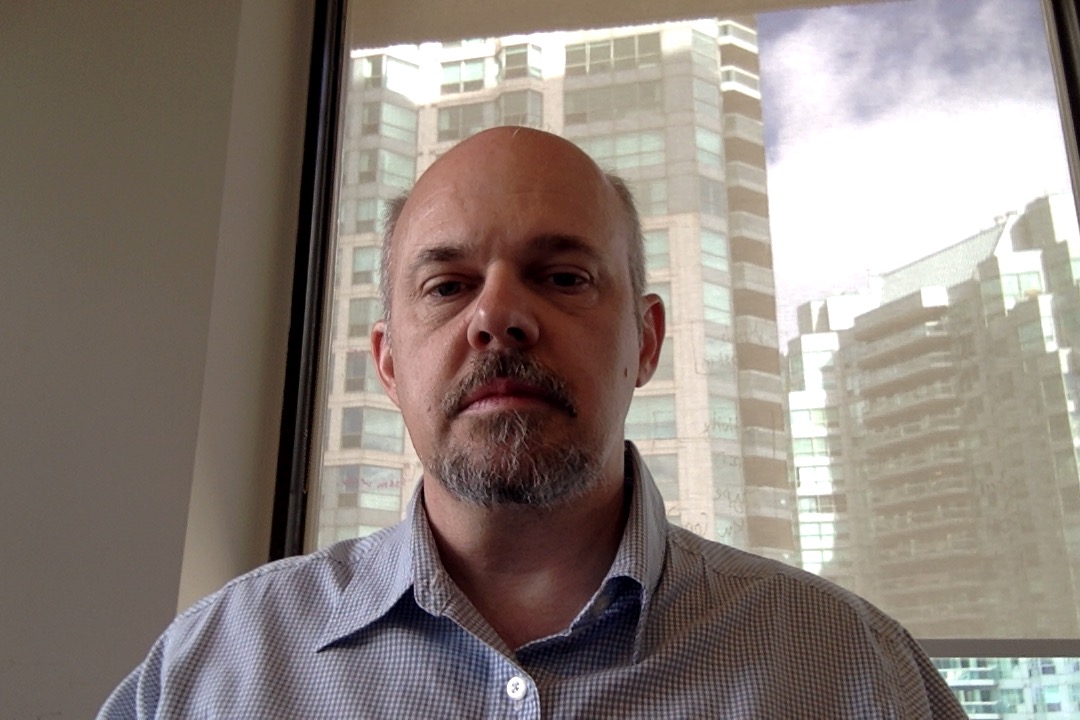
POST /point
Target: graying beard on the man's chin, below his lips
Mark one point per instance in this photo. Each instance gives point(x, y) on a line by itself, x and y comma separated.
point(514, 469)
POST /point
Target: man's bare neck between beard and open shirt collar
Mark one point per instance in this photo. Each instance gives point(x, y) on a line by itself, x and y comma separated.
point(528, 572)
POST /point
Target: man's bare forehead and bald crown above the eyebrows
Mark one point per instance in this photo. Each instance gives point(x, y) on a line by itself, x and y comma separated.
point(510, 189)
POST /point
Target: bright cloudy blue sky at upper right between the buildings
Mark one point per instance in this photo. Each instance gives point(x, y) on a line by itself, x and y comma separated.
point(894, 130)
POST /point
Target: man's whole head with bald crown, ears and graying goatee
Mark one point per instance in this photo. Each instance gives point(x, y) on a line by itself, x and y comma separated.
point(515, 345)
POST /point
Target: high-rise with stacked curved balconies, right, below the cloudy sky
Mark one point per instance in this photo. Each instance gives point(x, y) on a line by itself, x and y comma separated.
point(950, 429)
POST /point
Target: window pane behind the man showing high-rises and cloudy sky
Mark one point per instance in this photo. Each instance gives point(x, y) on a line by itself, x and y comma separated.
point(860, 384)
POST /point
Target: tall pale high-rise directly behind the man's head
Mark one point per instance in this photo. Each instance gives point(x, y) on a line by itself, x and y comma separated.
point(676, 110)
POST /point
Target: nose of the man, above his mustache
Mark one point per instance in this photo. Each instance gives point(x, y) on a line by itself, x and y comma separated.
point(503, 315)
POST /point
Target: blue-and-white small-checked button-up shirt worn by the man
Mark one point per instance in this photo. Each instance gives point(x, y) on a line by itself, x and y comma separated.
point(681, 628)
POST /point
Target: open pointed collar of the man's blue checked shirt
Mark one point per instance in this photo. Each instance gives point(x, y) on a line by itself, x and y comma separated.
point(381, 570)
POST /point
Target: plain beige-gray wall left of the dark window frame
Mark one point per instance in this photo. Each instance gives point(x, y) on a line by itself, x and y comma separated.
point(150, 161)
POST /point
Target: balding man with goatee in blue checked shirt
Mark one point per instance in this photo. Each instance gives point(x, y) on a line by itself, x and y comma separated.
point(536, 575)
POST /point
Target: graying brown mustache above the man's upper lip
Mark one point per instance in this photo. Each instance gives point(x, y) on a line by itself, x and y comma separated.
point(510, 365)
